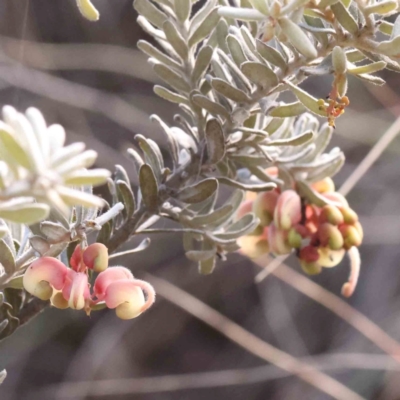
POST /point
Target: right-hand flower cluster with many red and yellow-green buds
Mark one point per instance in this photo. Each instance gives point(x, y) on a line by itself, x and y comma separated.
point(319, 235)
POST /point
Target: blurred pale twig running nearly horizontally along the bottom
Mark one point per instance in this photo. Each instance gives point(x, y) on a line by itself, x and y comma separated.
point(224, 378)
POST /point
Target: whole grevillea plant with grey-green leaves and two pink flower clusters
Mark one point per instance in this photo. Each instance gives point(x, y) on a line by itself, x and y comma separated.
point(226, 66)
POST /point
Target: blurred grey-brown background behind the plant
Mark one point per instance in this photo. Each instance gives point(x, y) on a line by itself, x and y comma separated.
point(90, 78)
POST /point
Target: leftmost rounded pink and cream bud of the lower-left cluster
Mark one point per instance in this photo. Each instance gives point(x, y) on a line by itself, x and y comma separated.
point(44, 275)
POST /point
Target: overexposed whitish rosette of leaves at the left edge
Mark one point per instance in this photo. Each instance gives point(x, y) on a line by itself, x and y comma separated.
point(37, 164)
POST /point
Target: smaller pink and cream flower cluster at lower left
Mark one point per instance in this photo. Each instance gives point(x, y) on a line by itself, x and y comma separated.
point(49, 279)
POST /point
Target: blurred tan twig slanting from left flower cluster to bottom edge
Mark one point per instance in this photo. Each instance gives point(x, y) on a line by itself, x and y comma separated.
point(250, 342)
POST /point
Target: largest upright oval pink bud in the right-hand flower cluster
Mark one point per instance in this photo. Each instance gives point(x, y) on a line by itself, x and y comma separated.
point(288, 210)
